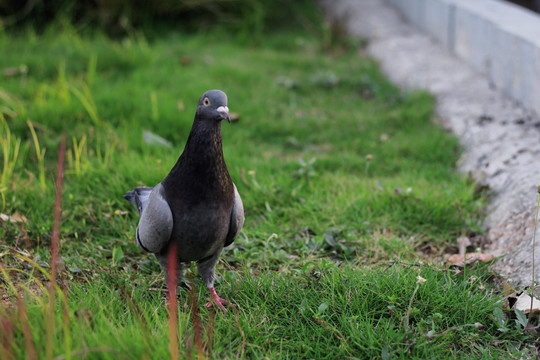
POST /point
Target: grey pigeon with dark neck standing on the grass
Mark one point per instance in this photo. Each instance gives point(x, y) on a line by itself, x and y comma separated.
point(196, 210)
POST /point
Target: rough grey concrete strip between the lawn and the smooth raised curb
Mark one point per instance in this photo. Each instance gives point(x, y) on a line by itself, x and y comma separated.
point(499, 137)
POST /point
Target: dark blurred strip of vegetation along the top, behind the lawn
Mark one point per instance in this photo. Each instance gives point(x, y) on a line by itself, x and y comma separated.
point(115, 17)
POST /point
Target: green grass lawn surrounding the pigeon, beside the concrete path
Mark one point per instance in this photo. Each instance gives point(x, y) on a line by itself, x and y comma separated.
point(349, 172)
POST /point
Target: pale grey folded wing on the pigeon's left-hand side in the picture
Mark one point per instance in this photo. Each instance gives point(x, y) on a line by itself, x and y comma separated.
point(156, 223)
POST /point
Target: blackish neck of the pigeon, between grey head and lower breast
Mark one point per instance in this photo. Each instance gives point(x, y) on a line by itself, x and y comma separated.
point(201, 165)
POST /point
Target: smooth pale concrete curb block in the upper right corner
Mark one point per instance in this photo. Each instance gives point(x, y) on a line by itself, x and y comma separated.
point(499, 39)
